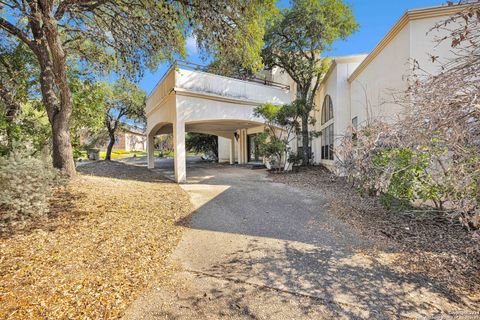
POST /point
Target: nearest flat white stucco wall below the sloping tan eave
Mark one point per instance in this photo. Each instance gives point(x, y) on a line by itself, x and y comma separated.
point(375, 90)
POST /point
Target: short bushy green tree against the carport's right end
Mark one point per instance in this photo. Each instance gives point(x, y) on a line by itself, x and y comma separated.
point(281, 126)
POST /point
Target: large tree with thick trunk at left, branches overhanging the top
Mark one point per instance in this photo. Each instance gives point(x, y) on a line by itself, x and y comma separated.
point(126, 36)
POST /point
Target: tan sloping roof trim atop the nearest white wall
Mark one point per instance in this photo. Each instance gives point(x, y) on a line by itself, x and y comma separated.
point(410, 15)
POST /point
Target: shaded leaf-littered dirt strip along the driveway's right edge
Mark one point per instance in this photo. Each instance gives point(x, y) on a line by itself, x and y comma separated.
point(432, 244)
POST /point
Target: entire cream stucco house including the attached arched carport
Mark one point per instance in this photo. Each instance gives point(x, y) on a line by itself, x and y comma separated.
point(355, 89)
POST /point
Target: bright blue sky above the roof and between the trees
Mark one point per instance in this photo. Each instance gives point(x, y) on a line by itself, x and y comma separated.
point(375, 18)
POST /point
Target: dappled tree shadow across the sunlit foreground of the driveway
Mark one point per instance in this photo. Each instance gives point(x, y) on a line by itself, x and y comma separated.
point(350, 284)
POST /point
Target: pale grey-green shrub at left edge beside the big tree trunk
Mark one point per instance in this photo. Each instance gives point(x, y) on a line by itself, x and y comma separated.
point(27, 184)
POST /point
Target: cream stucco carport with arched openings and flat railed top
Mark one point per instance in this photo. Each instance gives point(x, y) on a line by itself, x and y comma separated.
point(189, 99)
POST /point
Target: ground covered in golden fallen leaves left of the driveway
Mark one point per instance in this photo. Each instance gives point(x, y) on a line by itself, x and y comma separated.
point(107, 237)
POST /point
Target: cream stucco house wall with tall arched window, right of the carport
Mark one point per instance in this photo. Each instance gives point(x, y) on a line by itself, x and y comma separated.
point(368, 87)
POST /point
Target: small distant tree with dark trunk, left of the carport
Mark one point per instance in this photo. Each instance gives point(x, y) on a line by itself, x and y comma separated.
point(124, 101)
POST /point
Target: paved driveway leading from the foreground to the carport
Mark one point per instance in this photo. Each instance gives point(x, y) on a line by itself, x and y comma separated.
point(259, 250)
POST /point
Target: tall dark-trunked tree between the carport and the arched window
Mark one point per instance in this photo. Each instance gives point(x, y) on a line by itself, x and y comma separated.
point(295, 41)
